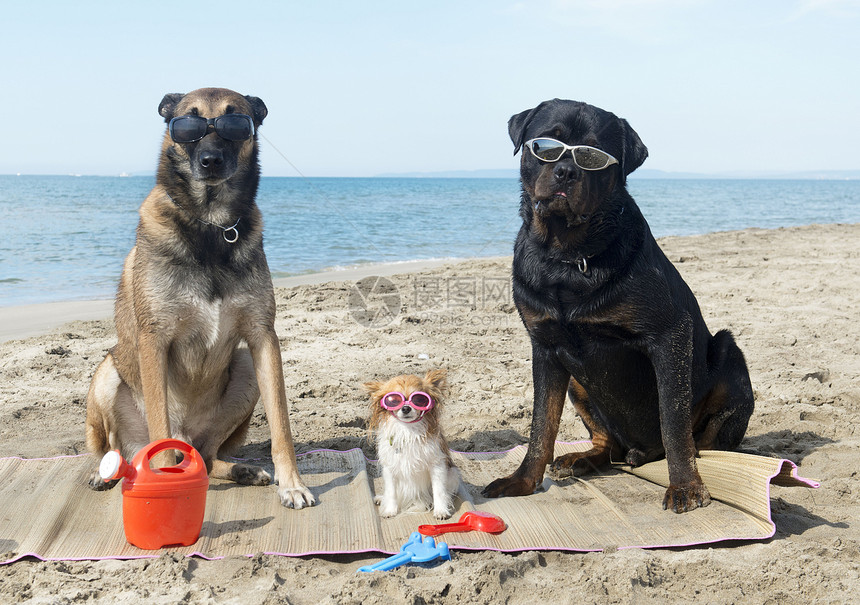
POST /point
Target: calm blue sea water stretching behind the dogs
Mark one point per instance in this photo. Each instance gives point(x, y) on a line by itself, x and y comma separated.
point(65, 237)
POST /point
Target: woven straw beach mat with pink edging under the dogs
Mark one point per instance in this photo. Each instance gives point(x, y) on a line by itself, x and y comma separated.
point(48, 511)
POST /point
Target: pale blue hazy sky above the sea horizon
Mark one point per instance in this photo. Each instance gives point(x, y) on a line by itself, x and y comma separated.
point(367, 87)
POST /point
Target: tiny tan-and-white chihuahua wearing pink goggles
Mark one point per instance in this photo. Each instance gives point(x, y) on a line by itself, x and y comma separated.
point(416, 467)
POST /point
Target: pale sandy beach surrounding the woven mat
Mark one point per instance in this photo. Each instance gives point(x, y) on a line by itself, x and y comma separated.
point(790, 296)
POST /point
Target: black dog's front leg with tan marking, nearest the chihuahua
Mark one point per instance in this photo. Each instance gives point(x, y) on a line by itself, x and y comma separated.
point(550, 386)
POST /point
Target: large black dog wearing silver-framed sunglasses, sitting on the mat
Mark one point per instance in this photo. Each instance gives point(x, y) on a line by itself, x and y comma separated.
point(610, 319)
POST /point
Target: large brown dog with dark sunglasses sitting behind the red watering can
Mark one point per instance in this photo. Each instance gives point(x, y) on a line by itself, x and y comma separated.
point(195, 290)
